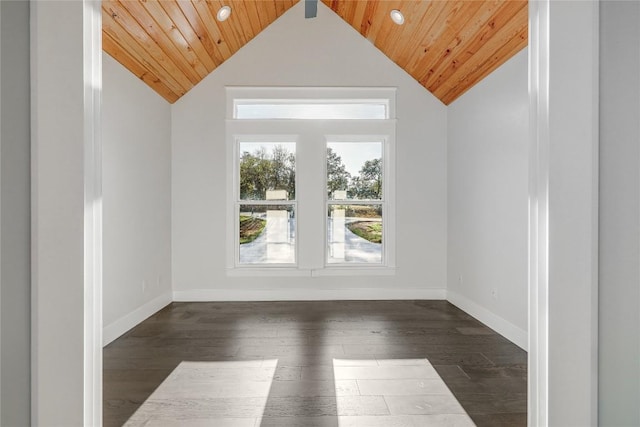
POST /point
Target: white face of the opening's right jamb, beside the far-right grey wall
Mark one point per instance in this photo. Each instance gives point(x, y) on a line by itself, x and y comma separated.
point(569, 163)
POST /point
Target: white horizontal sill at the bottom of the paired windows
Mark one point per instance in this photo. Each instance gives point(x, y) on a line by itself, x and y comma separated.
point(323, 272)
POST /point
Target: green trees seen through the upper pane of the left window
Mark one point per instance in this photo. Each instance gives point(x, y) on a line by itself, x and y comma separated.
point(265, 170)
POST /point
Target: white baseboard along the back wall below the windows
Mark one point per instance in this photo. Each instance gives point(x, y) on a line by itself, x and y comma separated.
point(306, 294)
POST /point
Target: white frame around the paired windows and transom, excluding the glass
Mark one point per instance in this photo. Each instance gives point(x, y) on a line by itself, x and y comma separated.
point(300, 131)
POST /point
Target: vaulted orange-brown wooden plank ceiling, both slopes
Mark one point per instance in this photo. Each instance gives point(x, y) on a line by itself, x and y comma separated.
point(446, 45)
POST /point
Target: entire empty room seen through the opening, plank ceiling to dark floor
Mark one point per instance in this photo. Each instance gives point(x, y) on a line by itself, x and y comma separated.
point(325, 212)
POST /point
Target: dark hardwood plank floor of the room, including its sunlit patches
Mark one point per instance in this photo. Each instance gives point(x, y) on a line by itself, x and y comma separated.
point(317, 353)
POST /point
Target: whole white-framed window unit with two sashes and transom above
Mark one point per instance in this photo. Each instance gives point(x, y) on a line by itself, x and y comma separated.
point(311, 180)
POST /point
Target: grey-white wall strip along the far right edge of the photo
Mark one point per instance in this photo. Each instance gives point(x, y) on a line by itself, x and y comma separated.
point(619, 334)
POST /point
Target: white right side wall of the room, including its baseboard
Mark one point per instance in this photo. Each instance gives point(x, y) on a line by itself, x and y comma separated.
point(487, 180)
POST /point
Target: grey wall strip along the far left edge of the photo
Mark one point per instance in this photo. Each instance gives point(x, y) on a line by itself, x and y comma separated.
point(16, 219)
